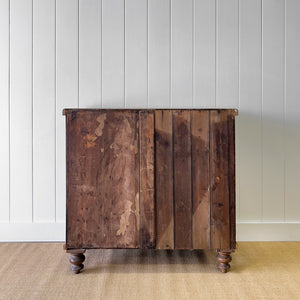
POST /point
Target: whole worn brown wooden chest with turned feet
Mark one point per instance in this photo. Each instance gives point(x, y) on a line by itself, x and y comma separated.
point(150, 178)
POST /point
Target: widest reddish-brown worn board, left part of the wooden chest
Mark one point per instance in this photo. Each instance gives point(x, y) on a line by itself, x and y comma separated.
point(103, 187)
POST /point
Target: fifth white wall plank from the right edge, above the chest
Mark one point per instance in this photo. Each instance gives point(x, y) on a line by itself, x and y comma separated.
point(204, 53)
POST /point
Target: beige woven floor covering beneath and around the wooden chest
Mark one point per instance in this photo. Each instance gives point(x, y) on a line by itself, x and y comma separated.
point(269, 270)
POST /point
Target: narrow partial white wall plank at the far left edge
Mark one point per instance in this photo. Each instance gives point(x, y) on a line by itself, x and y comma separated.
point(4, 107)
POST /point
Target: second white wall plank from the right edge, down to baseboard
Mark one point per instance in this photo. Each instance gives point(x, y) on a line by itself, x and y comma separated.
point(273, 110)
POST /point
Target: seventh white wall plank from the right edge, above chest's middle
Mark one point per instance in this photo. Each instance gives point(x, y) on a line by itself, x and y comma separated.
point(159, 53)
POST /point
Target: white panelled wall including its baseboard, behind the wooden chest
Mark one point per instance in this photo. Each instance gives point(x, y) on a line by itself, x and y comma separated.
point(149, 53)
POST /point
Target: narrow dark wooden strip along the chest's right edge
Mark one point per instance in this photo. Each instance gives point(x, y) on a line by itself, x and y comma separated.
point(231, 136)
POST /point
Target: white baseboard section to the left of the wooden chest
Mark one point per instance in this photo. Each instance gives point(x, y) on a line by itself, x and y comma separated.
point(32, 232)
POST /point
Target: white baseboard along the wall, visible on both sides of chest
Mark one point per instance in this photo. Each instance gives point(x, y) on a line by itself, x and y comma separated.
point(55, 232)
